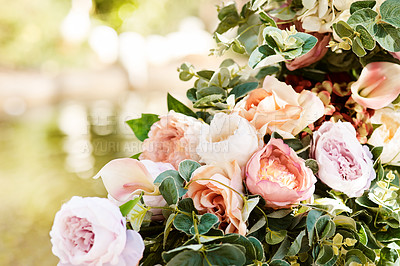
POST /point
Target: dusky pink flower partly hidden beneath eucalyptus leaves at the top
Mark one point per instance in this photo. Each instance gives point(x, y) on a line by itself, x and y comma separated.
point(314, 55)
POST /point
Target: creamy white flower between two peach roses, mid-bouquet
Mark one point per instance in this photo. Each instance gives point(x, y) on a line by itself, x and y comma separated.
point(230, 137)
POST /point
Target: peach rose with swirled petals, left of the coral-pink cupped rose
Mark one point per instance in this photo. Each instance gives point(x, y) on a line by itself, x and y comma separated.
point(214, 197)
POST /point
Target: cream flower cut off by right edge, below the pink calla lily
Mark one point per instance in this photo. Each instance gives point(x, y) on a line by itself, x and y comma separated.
point(388, 134)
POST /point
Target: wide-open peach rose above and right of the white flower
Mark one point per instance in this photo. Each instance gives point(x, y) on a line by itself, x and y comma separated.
point(277, 107)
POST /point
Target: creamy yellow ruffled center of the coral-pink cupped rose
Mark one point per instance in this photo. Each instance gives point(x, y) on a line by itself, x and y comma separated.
point(272, 170)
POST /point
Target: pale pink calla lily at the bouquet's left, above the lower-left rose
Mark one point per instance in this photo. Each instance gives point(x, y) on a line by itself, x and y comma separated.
point(126, 178)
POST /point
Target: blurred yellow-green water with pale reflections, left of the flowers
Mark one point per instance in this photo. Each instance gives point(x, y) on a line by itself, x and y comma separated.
point(46, 157)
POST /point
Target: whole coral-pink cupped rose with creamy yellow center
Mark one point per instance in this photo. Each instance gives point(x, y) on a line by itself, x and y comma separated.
point(277, 174)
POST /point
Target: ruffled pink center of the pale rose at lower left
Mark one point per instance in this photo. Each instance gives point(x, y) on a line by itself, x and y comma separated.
point(80, 234)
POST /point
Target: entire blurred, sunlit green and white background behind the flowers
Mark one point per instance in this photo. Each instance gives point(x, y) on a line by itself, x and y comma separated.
point(71, 73)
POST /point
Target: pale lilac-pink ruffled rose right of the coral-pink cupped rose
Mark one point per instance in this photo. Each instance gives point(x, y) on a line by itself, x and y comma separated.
point(344, 164)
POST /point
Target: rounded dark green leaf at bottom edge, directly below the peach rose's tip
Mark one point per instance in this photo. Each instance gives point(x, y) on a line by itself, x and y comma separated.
point(226, 254)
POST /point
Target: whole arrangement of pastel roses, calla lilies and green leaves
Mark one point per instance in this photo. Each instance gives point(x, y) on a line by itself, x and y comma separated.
point(292, 159)
